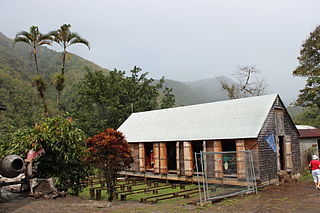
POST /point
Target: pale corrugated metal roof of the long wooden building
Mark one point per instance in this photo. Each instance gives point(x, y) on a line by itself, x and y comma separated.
point(239, 118)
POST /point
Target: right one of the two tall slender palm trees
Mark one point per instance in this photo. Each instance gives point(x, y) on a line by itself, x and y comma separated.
point(65, 38)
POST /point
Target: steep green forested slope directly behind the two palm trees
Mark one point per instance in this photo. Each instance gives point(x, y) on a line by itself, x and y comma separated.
point(16, 71)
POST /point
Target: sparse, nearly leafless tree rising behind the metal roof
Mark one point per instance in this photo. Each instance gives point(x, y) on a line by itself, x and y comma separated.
point(248, 83)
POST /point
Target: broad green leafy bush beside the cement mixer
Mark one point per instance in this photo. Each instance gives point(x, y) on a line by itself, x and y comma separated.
point(64, 146)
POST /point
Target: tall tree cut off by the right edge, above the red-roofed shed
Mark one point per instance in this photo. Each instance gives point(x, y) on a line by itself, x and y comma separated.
point(309, 67)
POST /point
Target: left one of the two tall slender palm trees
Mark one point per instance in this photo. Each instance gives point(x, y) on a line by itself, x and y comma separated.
point(35, 39)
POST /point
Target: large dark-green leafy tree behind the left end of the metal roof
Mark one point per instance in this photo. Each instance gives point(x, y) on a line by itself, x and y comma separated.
point(106, 101)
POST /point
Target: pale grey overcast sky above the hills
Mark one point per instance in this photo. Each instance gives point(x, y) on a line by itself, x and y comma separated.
point(183, 40)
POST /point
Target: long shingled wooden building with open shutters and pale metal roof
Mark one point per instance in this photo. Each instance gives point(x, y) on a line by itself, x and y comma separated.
point(163, 142)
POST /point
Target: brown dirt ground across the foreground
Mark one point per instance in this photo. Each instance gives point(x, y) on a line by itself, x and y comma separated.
point(290, 197)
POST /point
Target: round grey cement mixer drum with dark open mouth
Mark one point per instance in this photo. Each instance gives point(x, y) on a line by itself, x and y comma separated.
point(11, 166)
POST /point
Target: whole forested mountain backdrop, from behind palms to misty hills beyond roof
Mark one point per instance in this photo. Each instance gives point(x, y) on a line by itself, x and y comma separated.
point(17, 69)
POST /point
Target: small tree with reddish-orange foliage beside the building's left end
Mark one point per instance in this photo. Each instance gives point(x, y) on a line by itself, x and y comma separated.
point(109, 152)
